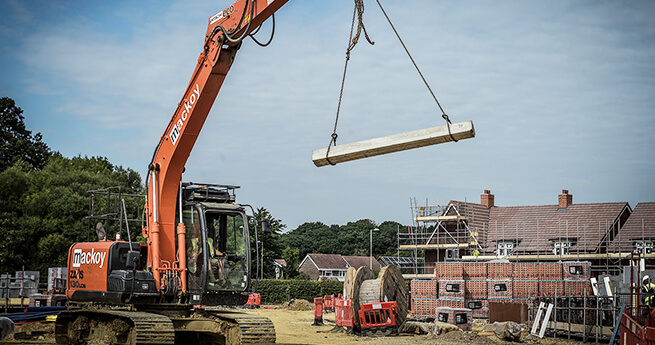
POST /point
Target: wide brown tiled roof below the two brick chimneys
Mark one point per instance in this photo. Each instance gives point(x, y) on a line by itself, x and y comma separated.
point(536, 226)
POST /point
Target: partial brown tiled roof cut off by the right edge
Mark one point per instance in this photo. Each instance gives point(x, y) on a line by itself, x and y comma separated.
point(640, 225)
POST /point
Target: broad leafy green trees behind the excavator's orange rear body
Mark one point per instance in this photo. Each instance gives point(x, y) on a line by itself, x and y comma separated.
point(45, 210)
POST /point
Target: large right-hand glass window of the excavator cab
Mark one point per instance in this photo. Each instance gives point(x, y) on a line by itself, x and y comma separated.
point(227, 252)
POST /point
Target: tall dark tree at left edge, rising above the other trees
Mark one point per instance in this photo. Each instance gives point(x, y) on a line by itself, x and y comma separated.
point(17, 142)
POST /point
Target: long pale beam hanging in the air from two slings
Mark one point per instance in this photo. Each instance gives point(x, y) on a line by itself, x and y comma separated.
point(393, 143)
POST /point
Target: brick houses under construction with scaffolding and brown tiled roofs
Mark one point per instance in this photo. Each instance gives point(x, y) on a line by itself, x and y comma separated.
point(605, 234)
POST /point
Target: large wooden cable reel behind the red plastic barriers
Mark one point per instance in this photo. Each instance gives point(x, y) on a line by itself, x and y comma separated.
point(361, 286)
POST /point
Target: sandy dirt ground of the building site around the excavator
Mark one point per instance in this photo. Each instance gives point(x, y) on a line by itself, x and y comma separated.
point(293, 325)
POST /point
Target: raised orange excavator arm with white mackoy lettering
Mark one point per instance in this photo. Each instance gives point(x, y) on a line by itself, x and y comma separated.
point(225, 31)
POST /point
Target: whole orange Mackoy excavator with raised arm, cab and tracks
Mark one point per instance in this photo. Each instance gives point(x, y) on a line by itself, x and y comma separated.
point(197, 253)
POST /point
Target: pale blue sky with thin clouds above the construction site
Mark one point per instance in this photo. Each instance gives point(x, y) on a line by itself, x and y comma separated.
point(561, 93)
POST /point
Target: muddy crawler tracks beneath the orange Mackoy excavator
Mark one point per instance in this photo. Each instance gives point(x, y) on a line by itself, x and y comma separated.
point(125, 327)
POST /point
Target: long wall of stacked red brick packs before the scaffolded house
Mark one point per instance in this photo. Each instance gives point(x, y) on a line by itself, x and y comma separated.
point(473, 285)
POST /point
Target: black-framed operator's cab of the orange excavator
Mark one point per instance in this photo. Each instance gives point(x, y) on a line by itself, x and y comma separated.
point(217, 245)
